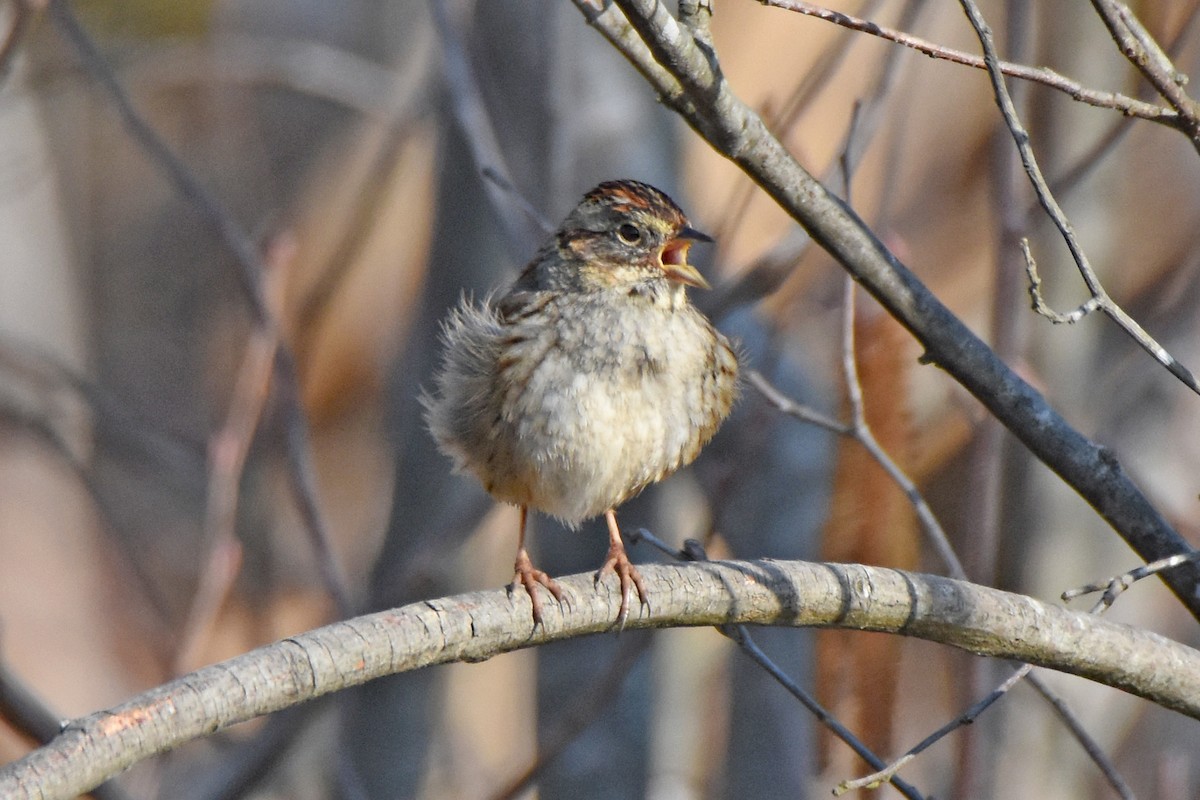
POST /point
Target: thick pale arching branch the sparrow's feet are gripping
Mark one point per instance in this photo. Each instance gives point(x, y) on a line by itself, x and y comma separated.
point(481, 625)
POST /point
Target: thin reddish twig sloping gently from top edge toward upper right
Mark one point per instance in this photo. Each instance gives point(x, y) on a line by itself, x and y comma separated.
point(1047, 77)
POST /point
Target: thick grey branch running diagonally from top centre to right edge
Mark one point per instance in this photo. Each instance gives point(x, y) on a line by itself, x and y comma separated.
point(688, 83)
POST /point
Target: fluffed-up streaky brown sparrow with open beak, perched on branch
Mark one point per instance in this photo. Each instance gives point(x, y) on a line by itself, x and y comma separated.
point(591, 378)
